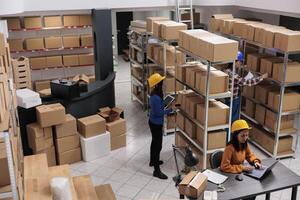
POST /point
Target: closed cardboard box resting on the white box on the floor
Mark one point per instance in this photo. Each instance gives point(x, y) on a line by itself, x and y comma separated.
point(91, 126)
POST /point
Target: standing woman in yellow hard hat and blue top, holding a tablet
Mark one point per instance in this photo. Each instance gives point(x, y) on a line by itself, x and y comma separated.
point(156, 121)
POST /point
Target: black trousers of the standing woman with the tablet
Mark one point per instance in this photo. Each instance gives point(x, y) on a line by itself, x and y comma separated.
point(156, 144)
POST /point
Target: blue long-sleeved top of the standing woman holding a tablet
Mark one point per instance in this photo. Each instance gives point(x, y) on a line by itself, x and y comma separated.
point(157, 110)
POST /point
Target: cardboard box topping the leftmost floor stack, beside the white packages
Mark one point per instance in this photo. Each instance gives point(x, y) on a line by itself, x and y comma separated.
point(50, 115)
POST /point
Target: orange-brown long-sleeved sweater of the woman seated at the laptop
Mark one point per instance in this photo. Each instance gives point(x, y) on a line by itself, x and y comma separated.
point(232, 160)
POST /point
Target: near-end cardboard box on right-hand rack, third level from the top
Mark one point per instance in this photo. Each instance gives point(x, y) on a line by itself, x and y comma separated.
point(291, 101)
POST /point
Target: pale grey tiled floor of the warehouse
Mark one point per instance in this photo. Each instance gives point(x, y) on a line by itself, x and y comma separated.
point(127, 169)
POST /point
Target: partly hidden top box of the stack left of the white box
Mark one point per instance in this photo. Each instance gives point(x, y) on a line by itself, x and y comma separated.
point(68, 128)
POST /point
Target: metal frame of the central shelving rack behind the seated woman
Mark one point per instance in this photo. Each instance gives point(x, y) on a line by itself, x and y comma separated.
point(207, 97)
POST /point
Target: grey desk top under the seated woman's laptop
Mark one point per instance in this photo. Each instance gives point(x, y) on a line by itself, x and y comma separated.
point(279, 178)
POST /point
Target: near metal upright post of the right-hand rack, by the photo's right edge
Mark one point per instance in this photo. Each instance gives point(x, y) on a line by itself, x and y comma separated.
point(279, 113)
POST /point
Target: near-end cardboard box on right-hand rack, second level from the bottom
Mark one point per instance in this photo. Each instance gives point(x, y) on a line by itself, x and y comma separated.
point(287, 121)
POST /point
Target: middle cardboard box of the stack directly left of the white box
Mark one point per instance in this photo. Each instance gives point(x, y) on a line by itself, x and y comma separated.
point(67, 143)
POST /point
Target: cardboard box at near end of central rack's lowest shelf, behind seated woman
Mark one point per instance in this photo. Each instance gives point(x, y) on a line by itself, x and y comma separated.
point(215, 139)
